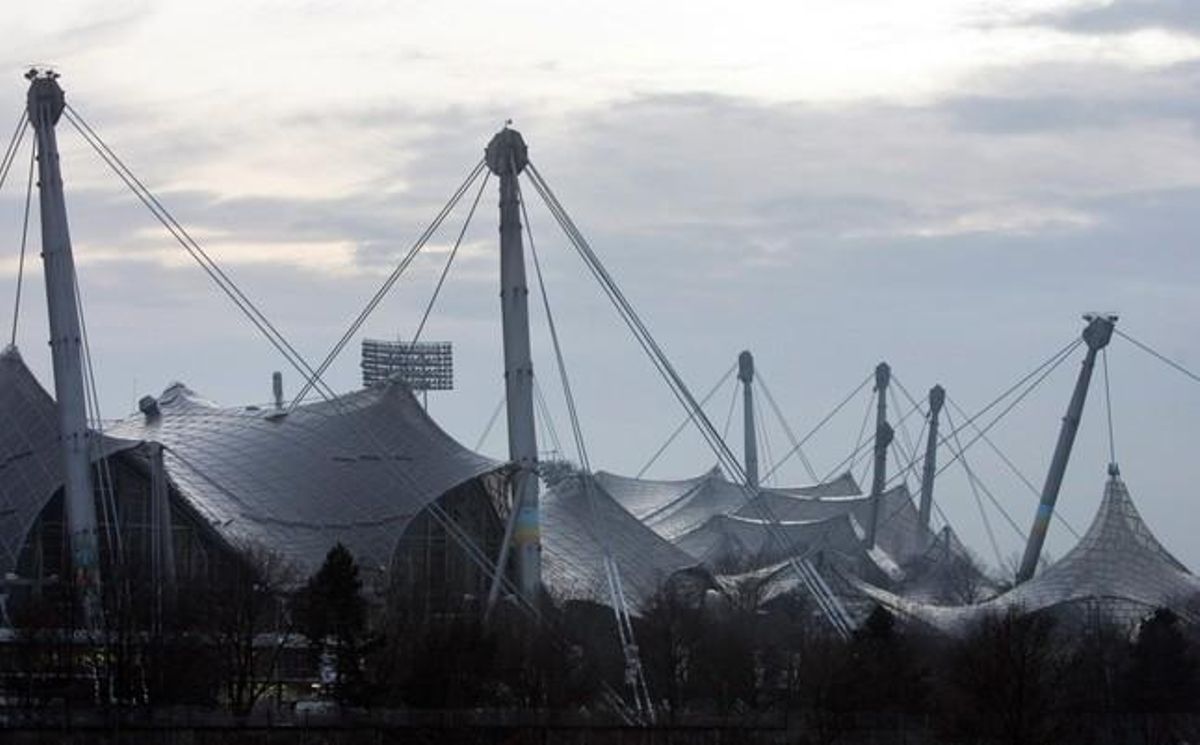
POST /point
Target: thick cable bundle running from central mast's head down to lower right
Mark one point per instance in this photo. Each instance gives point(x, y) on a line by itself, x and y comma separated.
point(820, 591)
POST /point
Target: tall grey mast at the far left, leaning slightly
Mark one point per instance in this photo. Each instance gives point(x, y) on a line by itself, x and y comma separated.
point(46, 104)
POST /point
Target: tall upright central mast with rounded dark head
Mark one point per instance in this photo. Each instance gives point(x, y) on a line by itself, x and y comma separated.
point(507, 157)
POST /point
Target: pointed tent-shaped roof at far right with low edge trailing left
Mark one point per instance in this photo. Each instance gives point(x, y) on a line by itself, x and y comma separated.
point(1119, 567)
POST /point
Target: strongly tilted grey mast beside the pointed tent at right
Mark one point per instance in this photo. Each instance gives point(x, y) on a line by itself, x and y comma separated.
point(1097, 335)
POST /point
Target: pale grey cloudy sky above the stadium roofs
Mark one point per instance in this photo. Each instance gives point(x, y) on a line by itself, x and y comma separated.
point(944, 184)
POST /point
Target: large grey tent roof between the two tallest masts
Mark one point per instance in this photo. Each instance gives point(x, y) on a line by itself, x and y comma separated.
point(355, 470)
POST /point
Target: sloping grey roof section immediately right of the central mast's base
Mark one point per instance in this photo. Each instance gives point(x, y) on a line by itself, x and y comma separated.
point(577, 527)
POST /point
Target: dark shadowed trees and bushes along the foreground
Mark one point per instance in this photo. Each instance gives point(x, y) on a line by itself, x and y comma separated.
point(244, 650)
